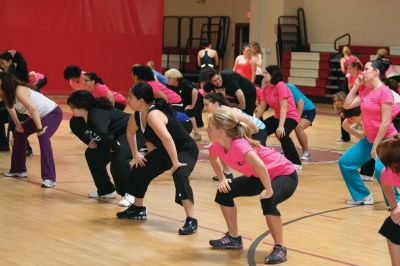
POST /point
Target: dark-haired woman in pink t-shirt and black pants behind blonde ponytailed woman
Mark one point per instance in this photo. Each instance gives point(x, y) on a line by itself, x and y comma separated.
point(286, 118)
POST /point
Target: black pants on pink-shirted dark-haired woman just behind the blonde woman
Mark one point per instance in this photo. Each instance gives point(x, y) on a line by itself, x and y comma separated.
point(271, 124)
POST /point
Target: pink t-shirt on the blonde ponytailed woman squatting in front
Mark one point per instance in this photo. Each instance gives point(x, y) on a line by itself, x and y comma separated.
point(276, 164)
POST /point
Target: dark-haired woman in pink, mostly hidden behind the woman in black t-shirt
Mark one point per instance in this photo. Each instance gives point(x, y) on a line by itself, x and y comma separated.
point(95, 85)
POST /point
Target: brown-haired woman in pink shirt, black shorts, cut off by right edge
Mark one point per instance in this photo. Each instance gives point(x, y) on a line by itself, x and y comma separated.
point(389, 153)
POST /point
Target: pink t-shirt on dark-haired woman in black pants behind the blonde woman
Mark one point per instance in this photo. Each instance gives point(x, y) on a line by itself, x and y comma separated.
point(274, 93)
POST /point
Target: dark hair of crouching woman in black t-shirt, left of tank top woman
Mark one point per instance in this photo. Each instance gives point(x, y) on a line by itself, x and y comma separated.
point(82, 99)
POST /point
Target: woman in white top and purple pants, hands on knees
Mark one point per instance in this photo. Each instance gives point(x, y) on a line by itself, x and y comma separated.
point(44, 117)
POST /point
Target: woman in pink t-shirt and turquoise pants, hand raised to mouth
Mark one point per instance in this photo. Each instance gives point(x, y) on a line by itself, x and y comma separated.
point(376, 102)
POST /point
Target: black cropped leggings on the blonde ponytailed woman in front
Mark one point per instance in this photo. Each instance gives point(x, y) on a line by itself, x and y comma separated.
point(244, 186)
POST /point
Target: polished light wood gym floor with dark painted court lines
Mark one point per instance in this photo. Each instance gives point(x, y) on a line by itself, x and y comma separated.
point(61, 226)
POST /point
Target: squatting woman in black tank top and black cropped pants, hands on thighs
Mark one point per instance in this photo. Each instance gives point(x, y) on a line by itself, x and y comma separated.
point(173, 148)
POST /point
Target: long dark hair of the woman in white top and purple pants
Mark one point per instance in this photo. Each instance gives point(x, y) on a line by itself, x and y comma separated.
point(9, 84)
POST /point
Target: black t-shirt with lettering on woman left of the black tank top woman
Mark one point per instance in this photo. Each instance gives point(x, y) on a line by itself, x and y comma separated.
point(103, 127)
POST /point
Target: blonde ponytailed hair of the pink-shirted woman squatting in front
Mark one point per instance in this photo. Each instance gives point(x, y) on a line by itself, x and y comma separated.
point(226, 120)
